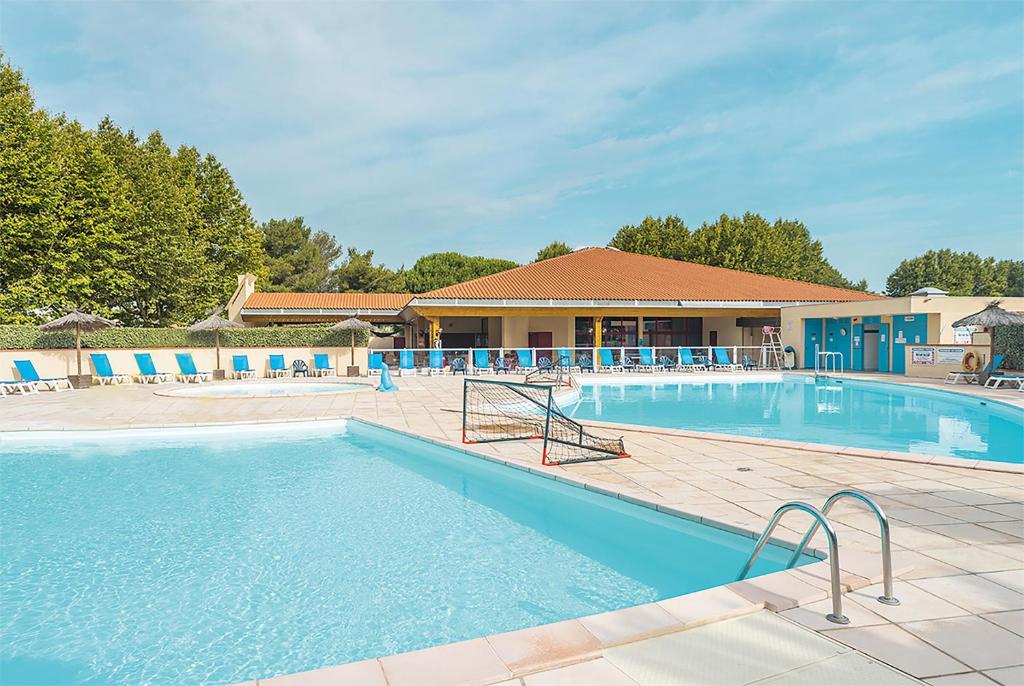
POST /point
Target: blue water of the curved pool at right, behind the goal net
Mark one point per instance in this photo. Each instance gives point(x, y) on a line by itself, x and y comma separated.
point(861, 414)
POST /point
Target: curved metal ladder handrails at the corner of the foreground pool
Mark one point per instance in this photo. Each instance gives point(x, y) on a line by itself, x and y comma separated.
point(822, 520)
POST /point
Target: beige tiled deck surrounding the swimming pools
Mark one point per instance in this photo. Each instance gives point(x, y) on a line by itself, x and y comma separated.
point(958, 538)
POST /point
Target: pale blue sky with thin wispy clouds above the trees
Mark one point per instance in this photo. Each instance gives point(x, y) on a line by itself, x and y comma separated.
point(495, 128)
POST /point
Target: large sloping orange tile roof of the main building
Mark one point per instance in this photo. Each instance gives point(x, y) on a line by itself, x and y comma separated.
point(606, 274)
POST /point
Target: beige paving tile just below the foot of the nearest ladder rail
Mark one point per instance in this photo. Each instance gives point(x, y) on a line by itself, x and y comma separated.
point(900, 649)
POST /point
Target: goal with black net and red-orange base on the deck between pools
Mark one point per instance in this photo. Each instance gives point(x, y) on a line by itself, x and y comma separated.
point(498, 411)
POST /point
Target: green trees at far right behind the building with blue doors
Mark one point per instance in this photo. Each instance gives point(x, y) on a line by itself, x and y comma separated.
point(958, 274)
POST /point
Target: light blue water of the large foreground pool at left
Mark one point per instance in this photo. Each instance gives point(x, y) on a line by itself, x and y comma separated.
point(166, 559)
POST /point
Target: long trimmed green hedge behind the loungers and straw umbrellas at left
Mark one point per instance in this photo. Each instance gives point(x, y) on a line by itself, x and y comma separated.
point(28, 338)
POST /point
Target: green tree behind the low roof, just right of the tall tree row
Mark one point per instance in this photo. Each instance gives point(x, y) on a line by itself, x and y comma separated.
point(298, 260)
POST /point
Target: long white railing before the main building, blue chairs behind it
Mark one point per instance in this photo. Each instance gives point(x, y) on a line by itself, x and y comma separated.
point(580, 359)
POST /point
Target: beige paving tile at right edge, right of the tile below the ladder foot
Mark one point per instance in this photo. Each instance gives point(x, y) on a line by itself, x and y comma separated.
point(973, 641)
